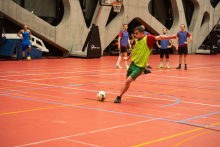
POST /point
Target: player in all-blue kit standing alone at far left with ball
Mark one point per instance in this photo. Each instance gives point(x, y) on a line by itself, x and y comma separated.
point(26, 40)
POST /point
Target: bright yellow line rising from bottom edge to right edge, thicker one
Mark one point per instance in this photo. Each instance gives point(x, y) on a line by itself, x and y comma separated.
point(171, 136)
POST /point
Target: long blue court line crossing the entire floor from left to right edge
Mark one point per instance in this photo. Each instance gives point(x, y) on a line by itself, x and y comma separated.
point(112, 111)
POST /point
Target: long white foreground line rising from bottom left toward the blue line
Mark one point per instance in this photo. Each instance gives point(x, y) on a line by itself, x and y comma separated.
point(39, 142)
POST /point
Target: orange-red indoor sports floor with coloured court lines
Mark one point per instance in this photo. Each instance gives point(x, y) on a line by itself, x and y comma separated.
point(52, 103)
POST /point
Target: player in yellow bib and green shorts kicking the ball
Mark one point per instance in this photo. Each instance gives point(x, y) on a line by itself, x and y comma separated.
point(140, 55)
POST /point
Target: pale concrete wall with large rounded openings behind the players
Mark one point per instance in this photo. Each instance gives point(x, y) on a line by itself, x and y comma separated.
point(71, 33)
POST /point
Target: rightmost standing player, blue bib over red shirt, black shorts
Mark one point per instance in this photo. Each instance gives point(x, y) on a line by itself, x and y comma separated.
point(181, 45)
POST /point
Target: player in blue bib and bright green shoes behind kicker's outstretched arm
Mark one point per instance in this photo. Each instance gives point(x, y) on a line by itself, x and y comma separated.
point(164, 48)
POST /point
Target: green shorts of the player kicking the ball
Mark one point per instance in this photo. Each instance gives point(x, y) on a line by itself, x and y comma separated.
point(134, 71)
